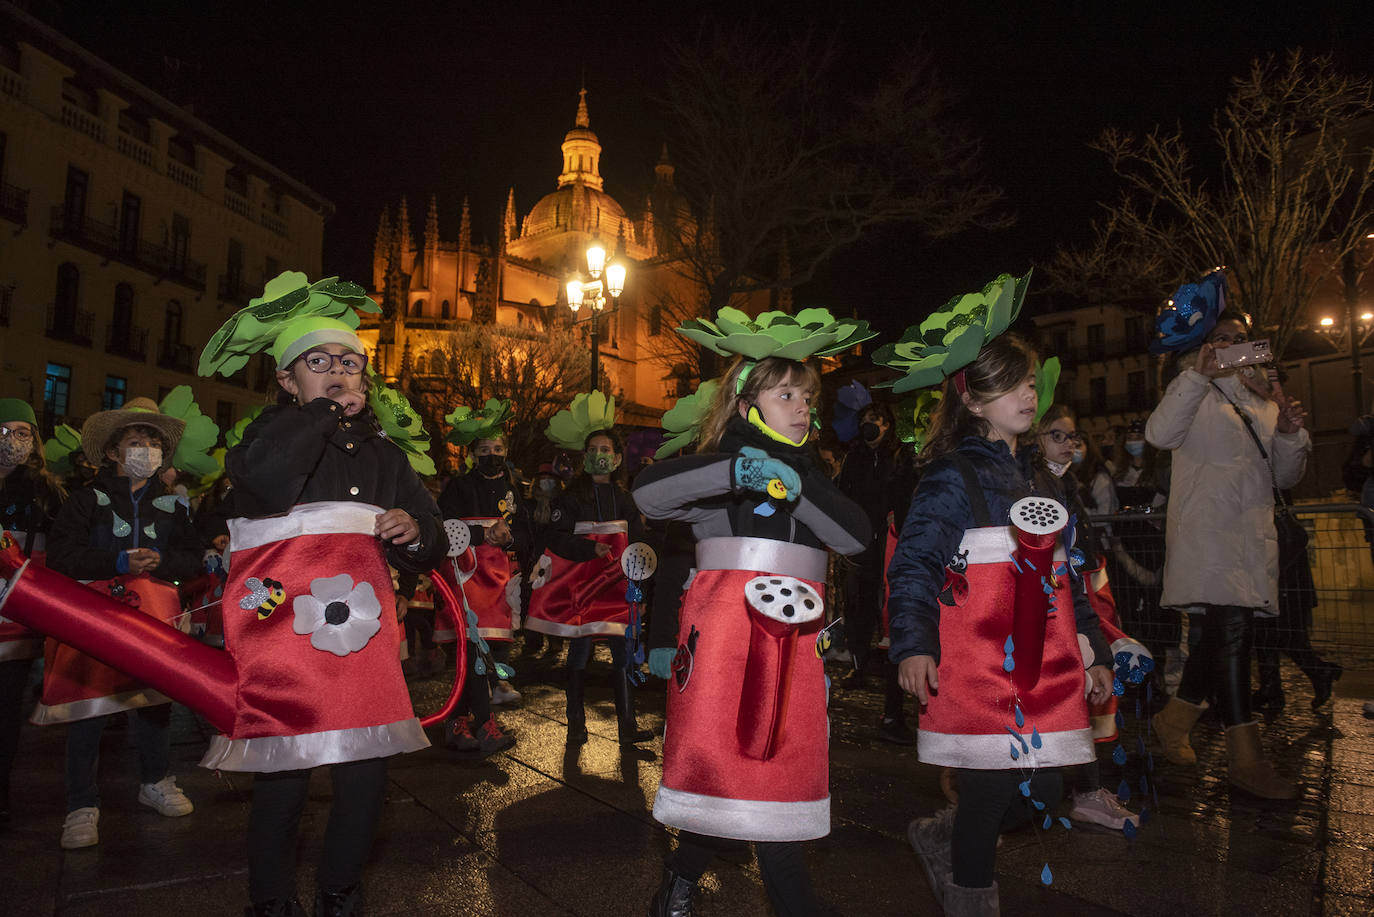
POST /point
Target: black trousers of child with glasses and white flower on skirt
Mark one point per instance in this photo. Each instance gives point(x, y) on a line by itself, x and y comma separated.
point(275, 824)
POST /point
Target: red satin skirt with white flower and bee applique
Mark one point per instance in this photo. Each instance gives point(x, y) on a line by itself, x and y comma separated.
point(310, 618)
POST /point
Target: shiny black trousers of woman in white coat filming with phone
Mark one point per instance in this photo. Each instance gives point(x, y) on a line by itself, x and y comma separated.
point(1219, 666)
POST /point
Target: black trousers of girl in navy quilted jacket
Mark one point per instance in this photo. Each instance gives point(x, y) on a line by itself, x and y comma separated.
point(990, 804)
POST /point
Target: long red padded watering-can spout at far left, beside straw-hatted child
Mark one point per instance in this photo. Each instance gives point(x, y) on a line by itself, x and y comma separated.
point(192, 673)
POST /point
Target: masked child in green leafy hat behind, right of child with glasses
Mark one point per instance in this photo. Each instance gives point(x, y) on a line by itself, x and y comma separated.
point(487, 501)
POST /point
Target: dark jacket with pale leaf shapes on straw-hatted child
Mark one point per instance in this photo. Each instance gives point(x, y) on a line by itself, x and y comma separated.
point(85, 542)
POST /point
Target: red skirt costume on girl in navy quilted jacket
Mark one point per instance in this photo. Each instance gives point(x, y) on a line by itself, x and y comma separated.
point(972, 721)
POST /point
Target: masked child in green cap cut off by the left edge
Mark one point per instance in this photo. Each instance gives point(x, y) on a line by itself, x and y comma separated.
point(30, 502)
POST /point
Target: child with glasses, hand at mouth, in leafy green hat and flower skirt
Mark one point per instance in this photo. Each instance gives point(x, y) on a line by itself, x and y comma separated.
point(339, 457)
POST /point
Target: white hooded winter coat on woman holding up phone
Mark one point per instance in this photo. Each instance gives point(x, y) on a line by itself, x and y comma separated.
point(1221, 546)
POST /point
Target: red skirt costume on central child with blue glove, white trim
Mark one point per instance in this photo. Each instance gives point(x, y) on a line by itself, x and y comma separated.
point(747, 739)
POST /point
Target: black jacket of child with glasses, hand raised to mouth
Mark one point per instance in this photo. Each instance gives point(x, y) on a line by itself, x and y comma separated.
point(304, 454)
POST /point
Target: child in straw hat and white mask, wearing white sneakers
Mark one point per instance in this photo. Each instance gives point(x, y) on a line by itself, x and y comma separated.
point(127, 537)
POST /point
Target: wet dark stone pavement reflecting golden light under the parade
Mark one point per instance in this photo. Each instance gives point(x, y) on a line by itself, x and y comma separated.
point(538, 831)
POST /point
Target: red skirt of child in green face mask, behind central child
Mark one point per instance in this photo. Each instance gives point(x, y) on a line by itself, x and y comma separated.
point(582, 599)
